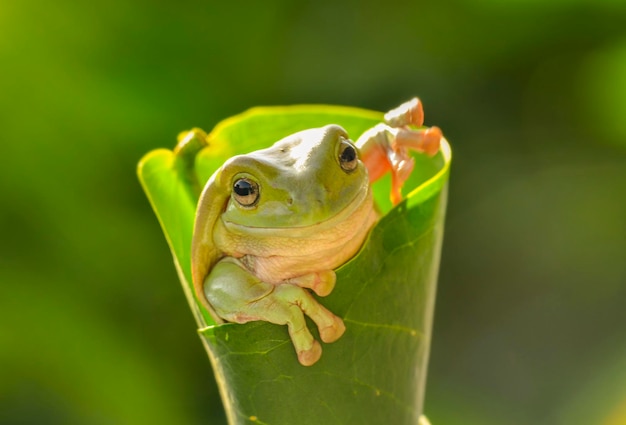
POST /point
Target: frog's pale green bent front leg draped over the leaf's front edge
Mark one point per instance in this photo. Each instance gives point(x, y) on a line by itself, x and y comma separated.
point(238, 296)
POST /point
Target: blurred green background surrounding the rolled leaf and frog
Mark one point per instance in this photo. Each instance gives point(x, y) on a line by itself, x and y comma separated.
point(530, 324)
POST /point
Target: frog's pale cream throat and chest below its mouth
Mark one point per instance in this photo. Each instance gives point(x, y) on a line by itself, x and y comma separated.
point(274, 255)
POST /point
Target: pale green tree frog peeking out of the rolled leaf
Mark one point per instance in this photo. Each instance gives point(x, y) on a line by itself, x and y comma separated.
point(273, 225)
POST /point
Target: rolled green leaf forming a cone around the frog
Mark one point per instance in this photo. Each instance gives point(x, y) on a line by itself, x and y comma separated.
point(376, 372)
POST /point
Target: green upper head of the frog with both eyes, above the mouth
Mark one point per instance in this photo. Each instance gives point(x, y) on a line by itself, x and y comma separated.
point(303, 179)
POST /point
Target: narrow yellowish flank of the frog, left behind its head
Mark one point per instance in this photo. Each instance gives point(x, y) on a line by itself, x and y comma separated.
point(204, 253)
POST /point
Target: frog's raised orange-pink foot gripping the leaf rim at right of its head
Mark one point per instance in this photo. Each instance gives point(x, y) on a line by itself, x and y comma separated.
point(385, 147)
